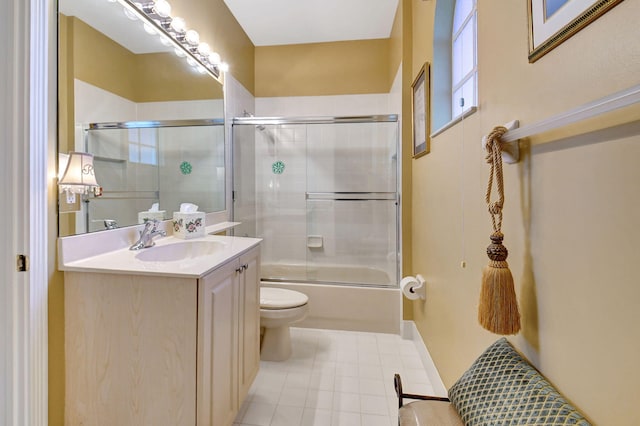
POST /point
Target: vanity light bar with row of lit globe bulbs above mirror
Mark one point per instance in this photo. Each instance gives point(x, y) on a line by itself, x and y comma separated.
point(186, 42)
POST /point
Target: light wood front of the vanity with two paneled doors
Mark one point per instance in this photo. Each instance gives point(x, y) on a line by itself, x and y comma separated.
point(228, 338)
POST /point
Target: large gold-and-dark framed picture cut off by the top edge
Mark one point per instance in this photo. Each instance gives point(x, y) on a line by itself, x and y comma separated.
point(551, 22)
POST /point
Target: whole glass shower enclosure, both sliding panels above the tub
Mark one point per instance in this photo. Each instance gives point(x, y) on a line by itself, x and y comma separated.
point(322, 195)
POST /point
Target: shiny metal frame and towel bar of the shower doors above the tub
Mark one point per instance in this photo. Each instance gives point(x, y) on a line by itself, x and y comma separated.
point(301, 120)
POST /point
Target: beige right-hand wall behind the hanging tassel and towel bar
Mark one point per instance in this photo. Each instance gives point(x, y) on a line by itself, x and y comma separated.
point(570, 219)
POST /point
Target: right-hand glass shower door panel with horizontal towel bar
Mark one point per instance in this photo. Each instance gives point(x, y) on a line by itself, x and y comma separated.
point(351, 203)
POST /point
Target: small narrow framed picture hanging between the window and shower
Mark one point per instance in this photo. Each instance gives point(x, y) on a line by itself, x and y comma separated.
point(420, 104)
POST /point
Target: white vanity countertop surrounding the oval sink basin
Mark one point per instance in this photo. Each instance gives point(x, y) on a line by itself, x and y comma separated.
point(125, 261)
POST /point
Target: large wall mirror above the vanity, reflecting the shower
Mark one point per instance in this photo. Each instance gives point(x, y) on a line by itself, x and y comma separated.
point(153, 122)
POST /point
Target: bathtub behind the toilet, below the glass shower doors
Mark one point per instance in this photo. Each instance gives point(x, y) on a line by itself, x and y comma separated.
point(337, 298)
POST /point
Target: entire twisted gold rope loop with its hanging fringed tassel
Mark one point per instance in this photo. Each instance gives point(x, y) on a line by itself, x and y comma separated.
point(498, 309)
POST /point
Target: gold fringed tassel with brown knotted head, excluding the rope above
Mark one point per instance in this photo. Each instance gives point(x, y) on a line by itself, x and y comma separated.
point(498, 310)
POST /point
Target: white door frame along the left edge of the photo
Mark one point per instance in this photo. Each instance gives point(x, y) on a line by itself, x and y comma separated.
point(27, 122)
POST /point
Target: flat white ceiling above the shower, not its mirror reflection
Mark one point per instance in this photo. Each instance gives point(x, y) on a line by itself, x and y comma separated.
point(277, 22)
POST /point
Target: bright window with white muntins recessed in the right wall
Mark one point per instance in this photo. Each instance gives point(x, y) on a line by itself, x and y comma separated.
point(464, 63)
